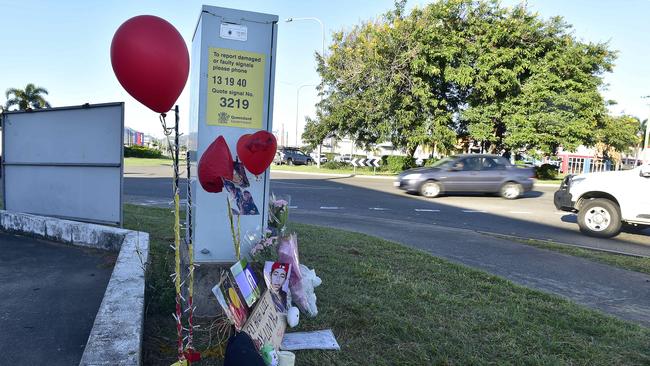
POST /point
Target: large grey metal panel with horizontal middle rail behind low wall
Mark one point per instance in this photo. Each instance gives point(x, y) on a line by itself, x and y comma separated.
point(65, 162)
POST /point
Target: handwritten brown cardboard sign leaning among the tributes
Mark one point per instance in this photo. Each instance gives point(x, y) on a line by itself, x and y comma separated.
point(266, 325)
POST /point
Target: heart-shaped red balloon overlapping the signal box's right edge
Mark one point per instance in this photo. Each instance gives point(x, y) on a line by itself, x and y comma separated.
point(257, 151)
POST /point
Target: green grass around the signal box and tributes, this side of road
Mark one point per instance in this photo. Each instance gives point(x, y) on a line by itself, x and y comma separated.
point(392, 305)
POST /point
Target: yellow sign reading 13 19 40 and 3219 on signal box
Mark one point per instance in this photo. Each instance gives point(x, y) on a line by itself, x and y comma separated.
point(235, 88)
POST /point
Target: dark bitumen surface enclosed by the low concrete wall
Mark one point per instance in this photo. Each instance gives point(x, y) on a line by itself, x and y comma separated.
point(50, 295)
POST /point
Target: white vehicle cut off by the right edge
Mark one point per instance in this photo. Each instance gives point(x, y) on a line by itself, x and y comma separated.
point(606, 200)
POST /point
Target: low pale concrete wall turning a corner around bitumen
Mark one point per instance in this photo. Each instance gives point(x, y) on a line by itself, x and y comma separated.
point(116, 336)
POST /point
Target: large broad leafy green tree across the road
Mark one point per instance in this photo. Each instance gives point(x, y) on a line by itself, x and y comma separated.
point(460, 68)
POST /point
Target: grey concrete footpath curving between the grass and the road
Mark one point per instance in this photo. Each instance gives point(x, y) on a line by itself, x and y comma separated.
point(624, 294)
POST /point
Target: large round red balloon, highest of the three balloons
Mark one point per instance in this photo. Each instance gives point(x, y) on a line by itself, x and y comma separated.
point(151, 61)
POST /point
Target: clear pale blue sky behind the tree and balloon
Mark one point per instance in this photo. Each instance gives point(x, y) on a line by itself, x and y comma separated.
point(64, 46)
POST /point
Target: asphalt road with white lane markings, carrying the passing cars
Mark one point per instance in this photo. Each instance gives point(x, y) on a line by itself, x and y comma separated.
point(532, 216)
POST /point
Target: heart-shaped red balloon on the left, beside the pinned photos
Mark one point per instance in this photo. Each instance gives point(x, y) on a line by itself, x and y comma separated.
point(215, 165)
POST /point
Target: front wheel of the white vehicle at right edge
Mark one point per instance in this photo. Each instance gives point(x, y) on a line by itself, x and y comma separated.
point(600, 218)
